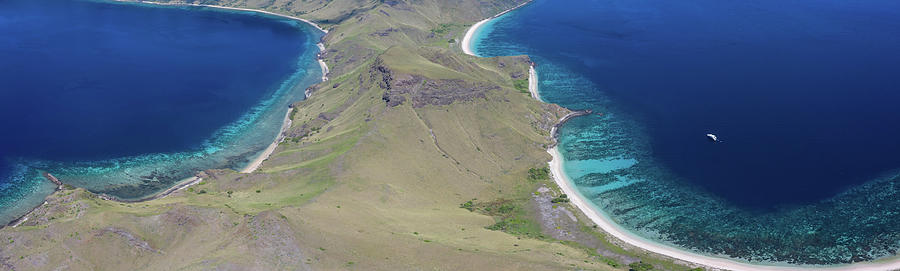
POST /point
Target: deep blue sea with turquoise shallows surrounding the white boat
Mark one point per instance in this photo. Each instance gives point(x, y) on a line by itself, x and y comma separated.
point(804, 96)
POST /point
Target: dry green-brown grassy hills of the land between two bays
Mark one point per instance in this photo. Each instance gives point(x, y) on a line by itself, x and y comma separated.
point(359, 184)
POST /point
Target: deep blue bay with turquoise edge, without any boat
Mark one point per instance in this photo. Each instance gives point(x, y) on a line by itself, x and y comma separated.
point(127, 99)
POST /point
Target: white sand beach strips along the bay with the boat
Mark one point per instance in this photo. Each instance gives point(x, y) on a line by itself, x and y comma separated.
point(610, 227)
